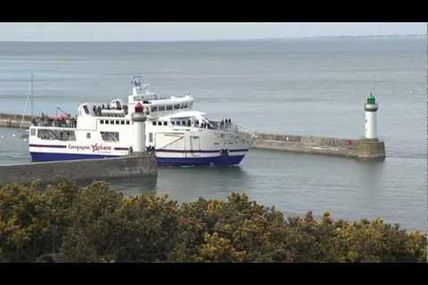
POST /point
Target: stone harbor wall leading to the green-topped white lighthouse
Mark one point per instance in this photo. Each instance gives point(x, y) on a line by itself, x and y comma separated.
point(353, 148)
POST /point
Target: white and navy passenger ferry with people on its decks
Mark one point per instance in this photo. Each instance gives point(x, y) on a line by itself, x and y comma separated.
point(169, 126)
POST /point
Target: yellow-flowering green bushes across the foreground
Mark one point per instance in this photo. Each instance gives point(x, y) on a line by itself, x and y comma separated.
point(68, 223)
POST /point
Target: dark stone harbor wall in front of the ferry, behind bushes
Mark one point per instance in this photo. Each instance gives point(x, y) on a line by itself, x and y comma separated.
point(79, 170)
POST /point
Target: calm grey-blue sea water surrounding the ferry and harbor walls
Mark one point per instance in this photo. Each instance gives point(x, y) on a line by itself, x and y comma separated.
point(305, 86)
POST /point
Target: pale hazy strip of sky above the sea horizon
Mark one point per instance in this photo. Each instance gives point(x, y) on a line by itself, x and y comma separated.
point(195, 31)
